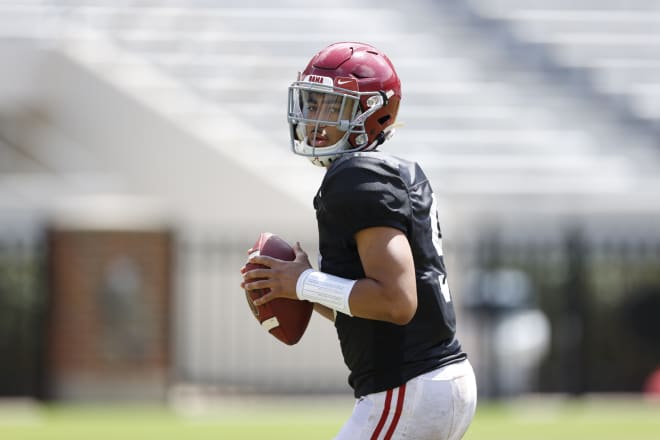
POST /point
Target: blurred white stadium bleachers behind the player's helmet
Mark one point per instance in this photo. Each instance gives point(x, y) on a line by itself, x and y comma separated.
point(482, 123)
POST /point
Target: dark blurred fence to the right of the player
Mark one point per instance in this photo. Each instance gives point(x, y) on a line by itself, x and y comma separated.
point(601, 297)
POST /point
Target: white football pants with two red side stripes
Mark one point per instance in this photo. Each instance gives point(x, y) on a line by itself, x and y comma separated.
point(438, 405)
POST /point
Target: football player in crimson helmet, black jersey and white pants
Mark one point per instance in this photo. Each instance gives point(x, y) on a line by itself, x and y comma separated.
point(381, 278)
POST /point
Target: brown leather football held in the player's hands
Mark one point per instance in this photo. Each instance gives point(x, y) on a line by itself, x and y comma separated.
point(284, 318)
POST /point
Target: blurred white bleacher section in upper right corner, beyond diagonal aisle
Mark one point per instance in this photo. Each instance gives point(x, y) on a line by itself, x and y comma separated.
point(618, 43)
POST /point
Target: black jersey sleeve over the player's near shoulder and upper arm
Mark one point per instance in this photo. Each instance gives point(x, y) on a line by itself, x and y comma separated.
point(366, 193)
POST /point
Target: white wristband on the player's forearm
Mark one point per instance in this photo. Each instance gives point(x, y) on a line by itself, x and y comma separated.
point(325, 289)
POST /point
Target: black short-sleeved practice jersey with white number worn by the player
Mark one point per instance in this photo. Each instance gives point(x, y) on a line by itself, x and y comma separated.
point(363, 190)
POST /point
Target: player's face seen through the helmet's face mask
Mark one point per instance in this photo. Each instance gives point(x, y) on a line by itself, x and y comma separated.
point(328, 110)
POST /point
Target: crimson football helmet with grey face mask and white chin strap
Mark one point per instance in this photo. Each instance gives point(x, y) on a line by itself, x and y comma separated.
point(349, 88)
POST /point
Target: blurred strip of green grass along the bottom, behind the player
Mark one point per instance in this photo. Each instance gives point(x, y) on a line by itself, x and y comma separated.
point(307, 419)
